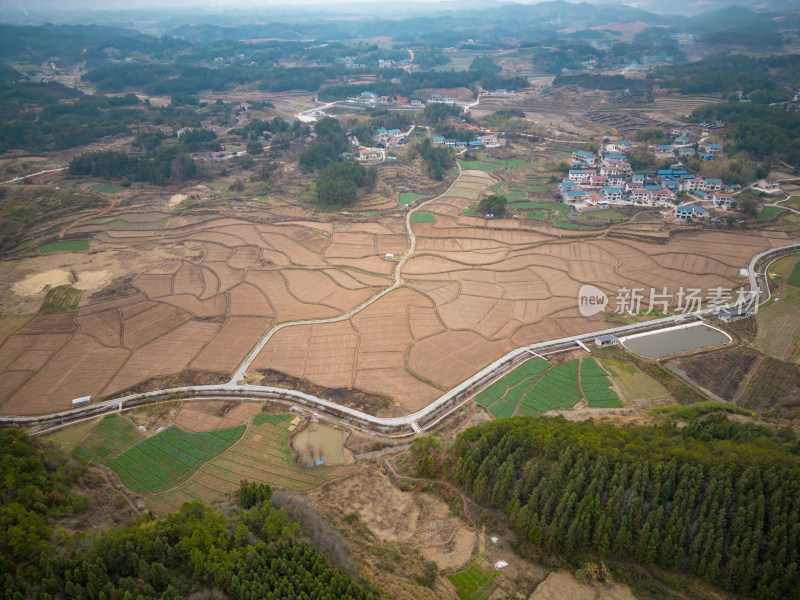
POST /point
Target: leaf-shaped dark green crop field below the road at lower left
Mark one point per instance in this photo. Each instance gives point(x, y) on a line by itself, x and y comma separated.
point(170, 457)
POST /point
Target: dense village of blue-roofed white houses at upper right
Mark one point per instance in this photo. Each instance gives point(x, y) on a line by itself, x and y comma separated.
point(595, 182)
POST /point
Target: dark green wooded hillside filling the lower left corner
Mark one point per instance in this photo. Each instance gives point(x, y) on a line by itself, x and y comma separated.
point(250, 554)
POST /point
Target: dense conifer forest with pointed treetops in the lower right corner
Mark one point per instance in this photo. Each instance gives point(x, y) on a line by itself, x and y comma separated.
point(718, 499)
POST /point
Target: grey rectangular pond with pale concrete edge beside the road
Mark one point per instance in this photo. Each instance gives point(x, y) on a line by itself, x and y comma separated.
point(675, 340)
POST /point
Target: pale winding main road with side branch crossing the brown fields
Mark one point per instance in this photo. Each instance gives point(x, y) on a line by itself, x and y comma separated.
point(395, 427)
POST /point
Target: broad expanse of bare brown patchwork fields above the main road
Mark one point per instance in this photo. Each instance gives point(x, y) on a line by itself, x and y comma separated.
point(475, 288)
